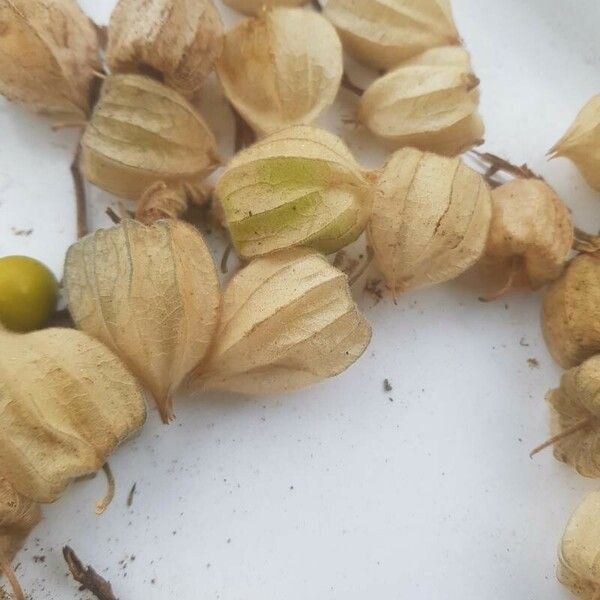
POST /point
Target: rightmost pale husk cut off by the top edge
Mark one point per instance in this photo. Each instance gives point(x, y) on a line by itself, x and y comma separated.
point(383, 34)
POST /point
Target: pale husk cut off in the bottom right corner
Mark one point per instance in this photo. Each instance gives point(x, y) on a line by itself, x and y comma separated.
point(579, 551)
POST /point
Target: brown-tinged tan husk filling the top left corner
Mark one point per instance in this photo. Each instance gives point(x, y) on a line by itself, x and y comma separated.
point(48, 54)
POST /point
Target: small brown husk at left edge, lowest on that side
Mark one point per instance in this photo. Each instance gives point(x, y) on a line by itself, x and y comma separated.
point(18, 516)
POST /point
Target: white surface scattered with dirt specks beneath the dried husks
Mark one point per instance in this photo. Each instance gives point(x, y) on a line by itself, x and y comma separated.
point(337, 492)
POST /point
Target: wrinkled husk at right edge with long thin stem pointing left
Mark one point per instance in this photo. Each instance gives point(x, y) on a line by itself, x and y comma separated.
point(578, 399)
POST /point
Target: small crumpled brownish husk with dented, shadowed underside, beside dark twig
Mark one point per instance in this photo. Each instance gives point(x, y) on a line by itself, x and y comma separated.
point(531, 231)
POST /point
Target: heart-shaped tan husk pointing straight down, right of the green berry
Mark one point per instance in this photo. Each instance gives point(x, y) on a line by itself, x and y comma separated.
point(149, 293)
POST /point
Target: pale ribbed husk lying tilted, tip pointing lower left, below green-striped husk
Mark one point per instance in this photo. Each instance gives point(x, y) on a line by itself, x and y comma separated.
point(288, 321)
